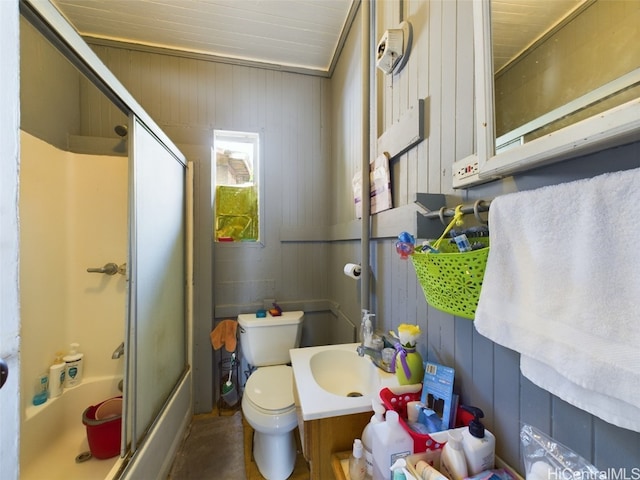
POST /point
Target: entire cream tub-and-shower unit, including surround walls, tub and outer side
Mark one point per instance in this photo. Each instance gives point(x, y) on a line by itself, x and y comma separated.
point(74, 305)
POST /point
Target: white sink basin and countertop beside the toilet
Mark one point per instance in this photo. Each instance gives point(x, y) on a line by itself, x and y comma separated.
point(333, 380)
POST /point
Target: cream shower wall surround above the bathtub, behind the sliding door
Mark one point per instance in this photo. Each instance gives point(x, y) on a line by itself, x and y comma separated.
point(73, 215)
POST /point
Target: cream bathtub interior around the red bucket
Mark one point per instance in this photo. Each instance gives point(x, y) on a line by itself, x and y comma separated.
point(52, 435)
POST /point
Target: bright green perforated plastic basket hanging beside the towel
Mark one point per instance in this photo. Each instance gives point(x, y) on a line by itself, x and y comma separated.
point(451, 281)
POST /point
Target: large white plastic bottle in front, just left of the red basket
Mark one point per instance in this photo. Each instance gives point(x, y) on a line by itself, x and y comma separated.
point(390, 442)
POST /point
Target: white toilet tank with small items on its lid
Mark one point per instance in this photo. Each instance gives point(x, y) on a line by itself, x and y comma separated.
point(266, 341)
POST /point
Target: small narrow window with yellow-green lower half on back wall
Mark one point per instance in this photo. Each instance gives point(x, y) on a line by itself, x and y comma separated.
point(237, 191)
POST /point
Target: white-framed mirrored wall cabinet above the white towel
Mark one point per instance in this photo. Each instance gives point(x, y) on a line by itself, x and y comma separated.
point(554, 80)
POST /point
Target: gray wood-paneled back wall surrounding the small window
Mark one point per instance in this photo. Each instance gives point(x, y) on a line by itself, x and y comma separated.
point(189, 98)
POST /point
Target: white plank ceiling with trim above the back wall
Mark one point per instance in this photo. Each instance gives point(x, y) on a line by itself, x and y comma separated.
point(298, 34)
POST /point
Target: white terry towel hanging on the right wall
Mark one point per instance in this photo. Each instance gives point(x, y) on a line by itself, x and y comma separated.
point(562, 287)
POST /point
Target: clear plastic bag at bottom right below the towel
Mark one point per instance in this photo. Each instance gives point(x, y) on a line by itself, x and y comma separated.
point(546, 459)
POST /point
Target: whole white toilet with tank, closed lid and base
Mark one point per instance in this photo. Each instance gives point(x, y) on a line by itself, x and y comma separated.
point(267, 403)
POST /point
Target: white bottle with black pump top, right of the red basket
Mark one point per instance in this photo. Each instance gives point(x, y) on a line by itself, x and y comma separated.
point(478, 443)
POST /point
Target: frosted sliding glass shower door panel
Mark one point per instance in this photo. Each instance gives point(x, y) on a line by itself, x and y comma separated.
point(157, 326)
